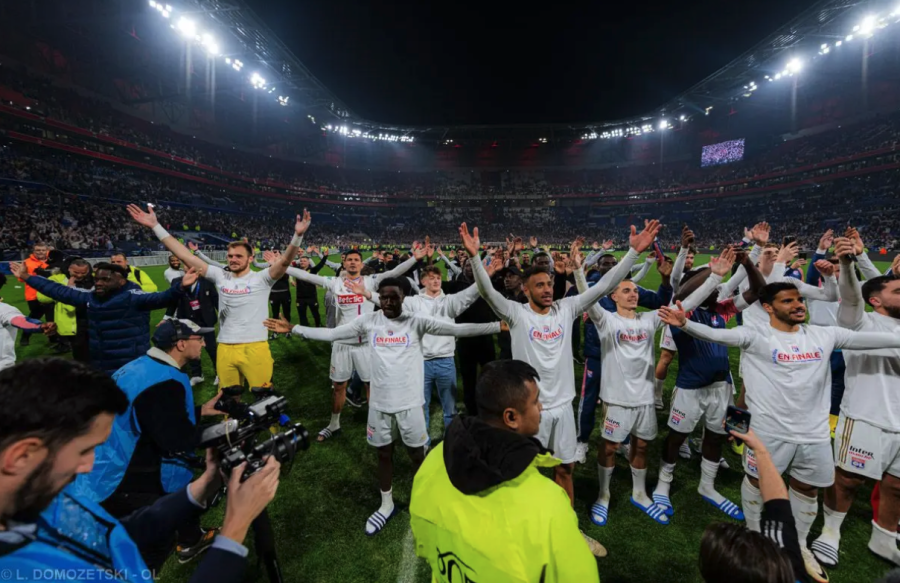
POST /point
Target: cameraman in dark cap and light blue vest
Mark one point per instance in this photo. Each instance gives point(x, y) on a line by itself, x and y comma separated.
point(135, 466)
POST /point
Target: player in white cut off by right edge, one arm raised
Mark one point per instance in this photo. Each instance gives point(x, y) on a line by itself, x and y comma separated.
point(867, 439)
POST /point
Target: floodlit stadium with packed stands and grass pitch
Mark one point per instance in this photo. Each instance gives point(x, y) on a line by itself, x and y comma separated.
point(198, 109)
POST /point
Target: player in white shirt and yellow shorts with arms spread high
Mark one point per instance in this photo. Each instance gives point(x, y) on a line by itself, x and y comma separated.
point(243, 348)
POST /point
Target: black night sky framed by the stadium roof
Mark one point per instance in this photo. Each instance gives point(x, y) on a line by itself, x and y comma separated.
point(425, 62)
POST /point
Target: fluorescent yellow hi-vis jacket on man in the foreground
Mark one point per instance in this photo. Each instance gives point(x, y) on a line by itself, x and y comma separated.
point(521, 531)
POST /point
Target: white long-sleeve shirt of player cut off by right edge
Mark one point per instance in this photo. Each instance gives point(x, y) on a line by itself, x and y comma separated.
point(873, 376)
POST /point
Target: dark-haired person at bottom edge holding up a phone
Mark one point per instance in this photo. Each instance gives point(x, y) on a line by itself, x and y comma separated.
point(731, 552)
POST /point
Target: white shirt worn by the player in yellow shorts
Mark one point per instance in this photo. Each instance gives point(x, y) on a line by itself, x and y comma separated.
point(243, 305)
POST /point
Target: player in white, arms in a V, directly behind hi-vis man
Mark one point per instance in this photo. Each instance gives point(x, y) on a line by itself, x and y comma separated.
point(539, 333)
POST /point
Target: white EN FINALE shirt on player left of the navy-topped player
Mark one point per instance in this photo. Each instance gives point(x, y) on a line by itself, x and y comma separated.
point(627, 364)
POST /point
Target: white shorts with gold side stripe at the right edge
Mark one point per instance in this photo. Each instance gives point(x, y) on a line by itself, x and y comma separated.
point(861, 448)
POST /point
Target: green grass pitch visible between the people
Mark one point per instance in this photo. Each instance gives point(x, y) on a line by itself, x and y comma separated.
point(322, 504)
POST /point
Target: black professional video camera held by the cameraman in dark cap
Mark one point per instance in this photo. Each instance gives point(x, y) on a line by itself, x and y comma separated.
point(236, 438)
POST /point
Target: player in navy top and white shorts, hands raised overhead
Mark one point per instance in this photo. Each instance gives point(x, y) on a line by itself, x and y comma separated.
point(704, 387)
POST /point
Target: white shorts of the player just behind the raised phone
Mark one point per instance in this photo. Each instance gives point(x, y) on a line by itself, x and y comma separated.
point(811, 463)
